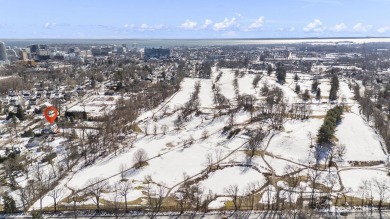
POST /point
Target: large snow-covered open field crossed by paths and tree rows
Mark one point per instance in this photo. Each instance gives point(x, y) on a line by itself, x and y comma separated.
point(189, 149)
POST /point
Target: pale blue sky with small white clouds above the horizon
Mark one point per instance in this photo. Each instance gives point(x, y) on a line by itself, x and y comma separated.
point(194, 19)
